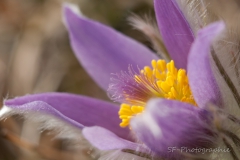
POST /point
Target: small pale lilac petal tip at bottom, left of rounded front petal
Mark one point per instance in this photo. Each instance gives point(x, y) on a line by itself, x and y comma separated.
point(106, 140)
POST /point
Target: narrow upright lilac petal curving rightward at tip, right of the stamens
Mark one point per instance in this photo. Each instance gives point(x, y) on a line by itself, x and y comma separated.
point(200, 74)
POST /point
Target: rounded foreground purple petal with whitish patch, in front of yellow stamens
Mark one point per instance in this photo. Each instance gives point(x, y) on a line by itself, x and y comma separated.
point(167, 123)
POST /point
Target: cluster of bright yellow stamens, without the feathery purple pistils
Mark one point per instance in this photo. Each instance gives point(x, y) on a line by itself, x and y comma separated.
point(163, 80)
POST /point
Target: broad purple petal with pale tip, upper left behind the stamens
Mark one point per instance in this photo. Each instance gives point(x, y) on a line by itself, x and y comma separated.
point(102, 50)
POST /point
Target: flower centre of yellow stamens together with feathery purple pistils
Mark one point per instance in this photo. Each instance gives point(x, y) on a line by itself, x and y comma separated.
point(133, 89)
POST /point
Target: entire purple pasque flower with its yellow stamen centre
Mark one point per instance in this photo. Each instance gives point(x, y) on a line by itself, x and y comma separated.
point(176, 104)
